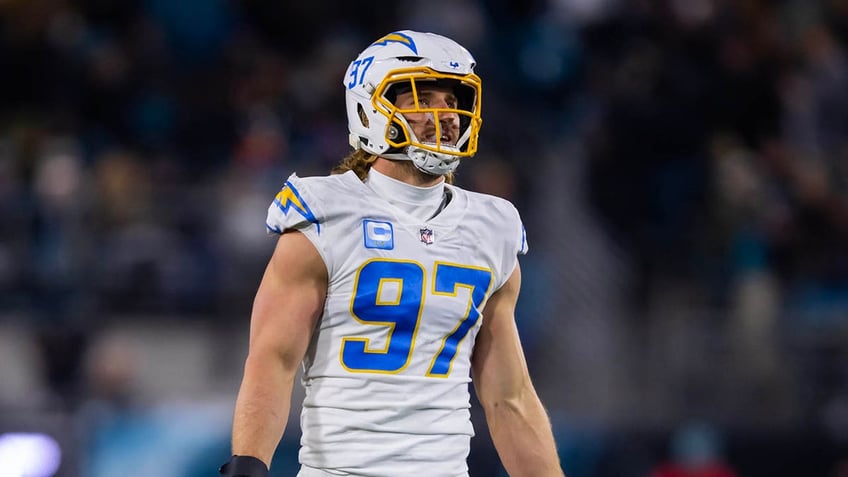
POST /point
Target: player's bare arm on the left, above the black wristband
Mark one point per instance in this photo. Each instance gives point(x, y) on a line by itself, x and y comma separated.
point(288, 303)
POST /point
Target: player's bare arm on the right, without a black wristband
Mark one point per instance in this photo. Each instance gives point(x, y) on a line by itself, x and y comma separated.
point(518, 423)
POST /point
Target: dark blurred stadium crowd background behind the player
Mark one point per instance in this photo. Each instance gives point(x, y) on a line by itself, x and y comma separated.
point(681, 166)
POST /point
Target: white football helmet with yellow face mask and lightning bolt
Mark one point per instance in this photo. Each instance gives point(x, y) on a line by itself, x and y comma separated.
point(402, 61)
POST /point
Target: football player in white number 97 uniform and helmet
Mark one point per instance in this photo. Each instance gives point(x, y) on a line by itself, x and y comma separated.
point(393, 288)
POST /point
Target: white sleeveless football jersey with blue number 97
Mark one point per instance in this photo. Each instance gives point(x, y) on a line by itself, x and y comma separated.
point(386, 374)
